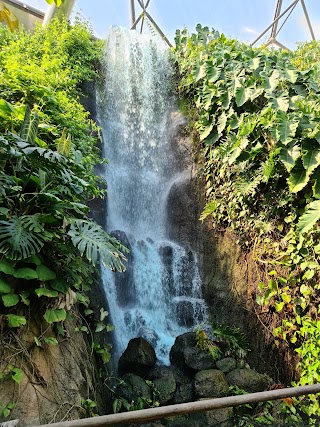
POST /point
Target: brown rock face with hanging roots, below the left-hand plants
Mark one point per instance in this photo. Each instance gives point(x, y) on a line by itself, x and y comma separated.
point(56, 378)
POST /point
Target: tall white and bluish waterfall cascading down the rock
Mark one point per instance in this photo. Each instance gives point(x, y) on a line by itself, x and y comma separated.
point(159, 296)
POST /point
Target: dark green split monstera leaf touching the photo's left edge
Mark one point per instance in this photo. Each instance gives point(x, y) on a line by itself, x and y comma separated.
point(21, 237)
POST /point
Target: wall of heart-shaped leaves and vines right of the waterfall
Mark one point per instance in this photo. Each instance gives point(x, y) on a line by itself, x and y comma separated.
point(256, 121)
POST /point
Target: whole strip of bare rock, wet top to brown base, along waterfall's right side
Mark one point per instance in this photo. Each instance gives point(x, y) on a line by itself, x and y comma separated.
point(229, 274)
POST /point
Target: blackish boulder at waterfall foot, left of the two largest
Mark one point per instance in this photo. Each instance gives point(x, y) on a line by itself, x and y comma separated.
point(138, 358)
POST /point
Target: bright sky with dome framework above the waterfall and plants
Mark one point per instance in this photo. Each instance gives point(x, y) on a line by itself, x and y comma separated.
point(281, 23)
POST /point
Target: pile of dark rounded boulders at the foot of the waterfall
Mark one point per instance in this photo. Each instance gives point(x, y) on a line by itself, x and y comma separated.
point(193, 375)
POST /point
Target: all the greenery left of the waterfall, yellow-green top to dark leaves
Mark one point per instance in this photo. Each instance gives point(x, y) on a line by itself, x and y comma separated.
point(49, 245)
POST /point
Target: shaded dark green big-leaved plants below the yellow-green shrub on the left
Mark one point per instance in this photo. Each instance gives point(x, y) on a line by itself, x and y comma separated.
point(43, 217)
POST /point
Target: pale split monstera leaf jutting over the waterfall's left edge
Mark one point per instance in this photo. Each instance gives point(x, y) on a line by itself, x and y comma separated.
point(93, 241)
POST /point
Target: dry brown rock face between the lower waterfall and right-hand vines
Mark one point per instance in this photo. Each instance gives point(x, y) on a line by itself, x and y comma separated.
point(230, 282)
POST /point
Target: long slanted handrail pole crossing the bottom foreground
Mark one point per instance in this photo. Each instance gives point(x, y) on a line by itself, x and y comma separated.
point(152, 414)
